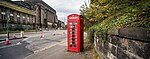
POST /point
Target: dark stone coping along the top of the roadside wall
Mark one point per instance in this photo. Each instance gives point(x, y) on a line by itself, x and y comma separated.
point(135, 33)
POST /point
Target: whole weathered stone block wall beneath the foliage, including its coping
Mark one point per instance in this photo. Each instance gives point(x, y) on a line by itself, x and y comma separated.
point(125, 43)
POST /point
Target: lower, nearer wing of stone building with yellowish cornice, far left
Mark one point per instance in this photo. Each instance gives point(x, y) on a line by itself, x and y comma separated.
point(19, 17)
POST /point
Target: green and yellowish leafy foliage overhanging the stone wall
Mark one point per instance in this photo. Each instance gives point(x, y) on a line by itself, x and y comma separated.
point(103, 15)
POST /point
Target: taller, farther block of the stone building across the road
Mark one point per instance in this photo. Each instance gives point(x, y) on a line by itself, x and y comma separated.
point(45, 15)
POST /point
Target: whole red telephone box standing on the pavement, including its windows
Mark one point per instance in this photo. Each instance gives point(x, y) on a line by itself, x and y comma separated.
point(75, 33)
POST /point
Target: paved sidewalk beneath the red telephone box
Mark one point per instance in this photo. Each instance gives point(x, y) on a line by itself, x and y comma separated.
point(59, 52)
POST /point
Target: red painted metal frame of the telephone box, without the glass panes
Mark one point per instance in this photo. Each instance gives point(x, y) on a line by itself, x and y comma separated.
point(78, 32)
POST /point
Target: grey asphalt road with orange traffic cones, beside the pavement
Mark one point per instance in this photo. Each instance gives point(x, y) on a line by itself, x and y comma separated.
point(34, 43)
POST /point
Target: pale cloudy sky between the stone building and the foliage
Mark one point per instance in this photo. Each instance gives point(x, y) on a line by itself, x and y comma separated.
point(65, 7)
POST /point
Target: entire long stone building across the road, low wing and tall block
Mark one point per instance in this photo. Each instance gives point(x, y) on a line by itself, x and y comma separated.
point(28, 14)
